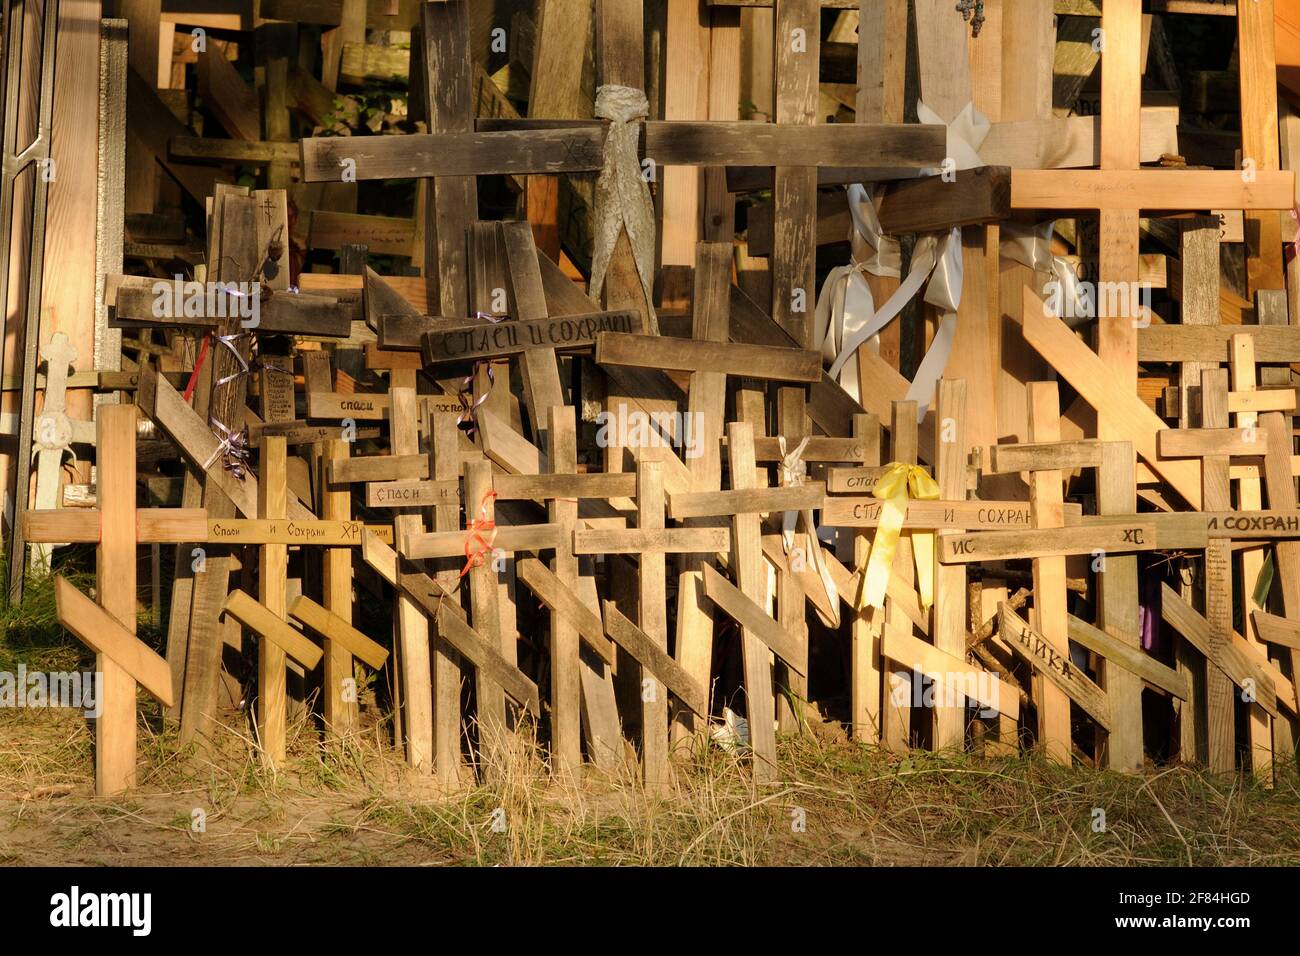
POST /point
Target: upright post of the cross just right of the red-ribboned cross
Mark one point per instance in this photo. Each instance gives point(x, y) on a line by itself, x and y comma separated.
point(566, 687)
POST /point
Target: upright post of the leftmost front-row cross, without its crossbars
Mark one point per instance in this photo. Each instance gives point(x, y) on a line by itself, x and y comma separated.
point(115, 590)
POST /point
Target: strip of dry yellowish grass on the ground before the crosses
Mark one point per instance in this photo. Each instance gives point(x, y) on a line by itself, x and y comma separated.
point(353, 802)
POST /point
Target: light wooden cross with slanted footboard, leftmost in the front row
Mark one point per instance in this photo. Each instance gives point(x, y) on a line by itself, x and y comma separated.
point(109, 628)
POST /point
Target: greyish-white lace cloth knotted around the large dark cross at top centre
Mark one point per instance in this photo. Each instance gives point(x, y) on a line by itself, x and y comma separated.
point(623, 197)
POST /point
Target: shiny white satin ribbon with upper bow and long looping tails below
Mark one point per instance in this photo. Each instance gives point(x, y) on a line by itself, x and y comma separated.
point(847, 317)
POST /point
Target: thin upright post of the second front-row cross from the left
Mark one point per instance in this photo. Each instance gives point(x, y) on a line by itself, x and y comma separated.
point(274, 566)
